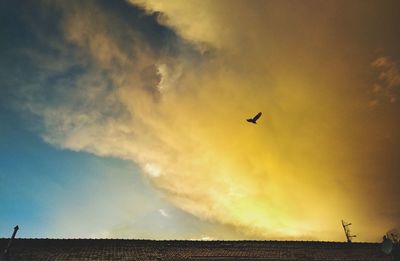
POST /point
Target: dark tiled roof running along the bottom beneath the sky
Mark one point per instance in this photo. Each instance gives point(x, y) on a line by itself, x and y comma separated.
point(117, 249)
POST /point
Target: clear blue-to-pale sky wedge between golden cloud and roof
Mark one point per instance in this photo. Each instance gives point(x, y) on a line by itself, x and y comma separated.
point(42, 184)
